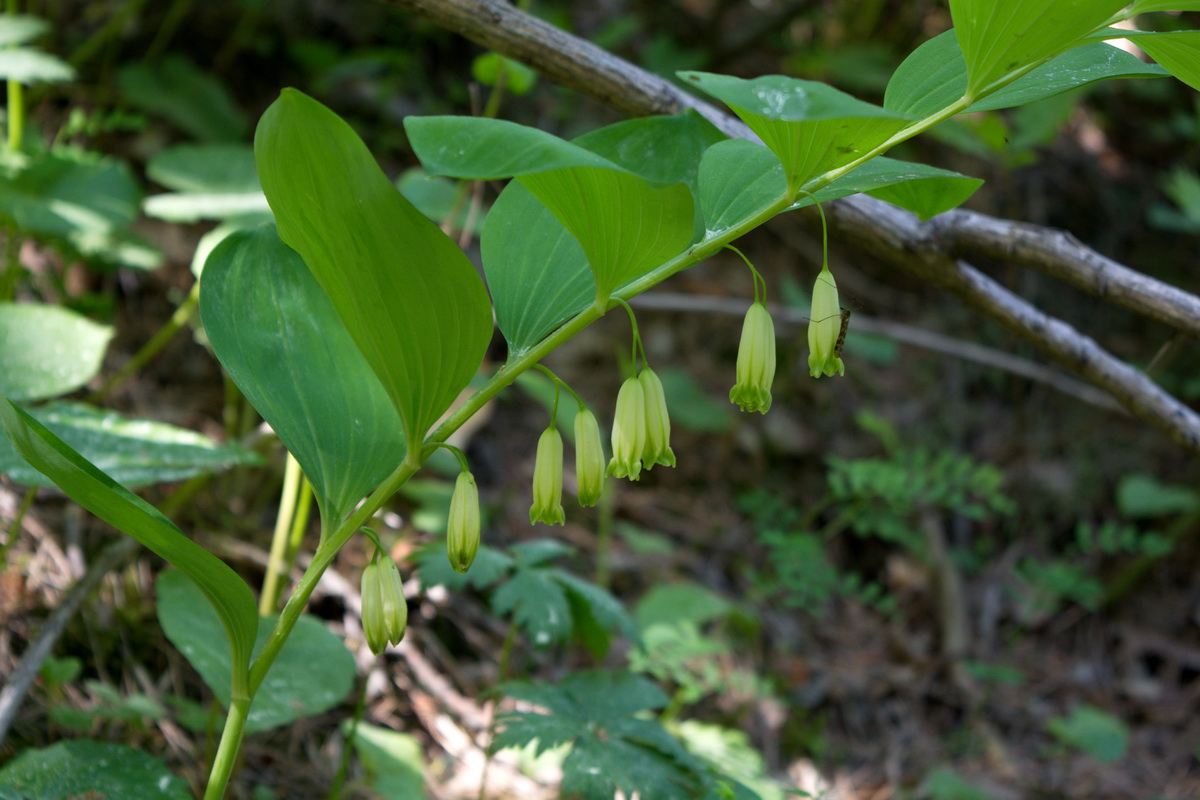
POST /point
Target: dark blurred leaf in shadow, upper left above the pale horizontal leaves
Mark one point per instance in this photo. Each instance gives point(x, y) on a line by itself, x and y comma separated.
point(185, 95)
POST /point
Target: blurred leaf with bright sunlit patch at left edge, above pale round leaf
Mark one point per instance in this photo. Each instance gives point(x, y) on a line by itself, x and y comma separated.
point(80, 202)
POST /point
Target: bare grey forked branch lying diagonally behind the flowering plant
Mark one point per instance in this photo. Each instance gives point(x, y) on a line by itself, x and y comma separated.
point(932, 251)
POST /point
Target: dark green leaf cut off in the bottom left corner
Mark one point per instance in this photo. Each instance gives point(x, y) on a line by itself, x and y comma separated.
point(89, 769)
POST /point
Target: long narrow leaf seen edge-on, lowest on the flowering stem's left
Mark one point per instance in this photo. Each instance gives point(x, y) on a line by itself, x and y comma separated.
point(118, 507)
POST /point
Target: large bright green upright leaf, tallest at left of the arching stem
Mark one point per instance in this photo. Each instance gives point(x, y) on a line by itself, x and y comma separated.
point(412, 302)
